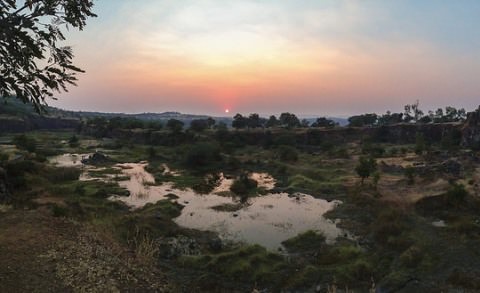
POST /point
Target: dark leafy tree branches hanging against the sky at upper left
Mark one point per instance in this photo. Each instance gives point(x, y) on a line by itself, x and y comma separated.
point(34, 63)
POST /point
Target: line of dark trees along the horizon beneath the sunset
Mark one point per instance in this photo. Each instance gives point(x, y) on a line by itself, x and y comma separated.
point(412, 114)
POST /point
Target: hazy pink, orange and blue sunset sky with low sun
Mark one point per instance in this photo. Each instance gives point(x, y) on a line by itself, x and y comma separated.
point(312, 58)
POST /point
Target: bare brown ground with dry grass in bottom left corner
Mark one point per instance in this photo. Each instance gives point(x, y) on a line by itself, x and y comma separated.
point(42, 253)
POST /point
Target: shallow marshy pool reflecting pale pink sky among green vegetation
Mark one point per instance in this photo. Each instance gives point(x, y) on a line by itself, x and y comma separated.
point(266, 220)
